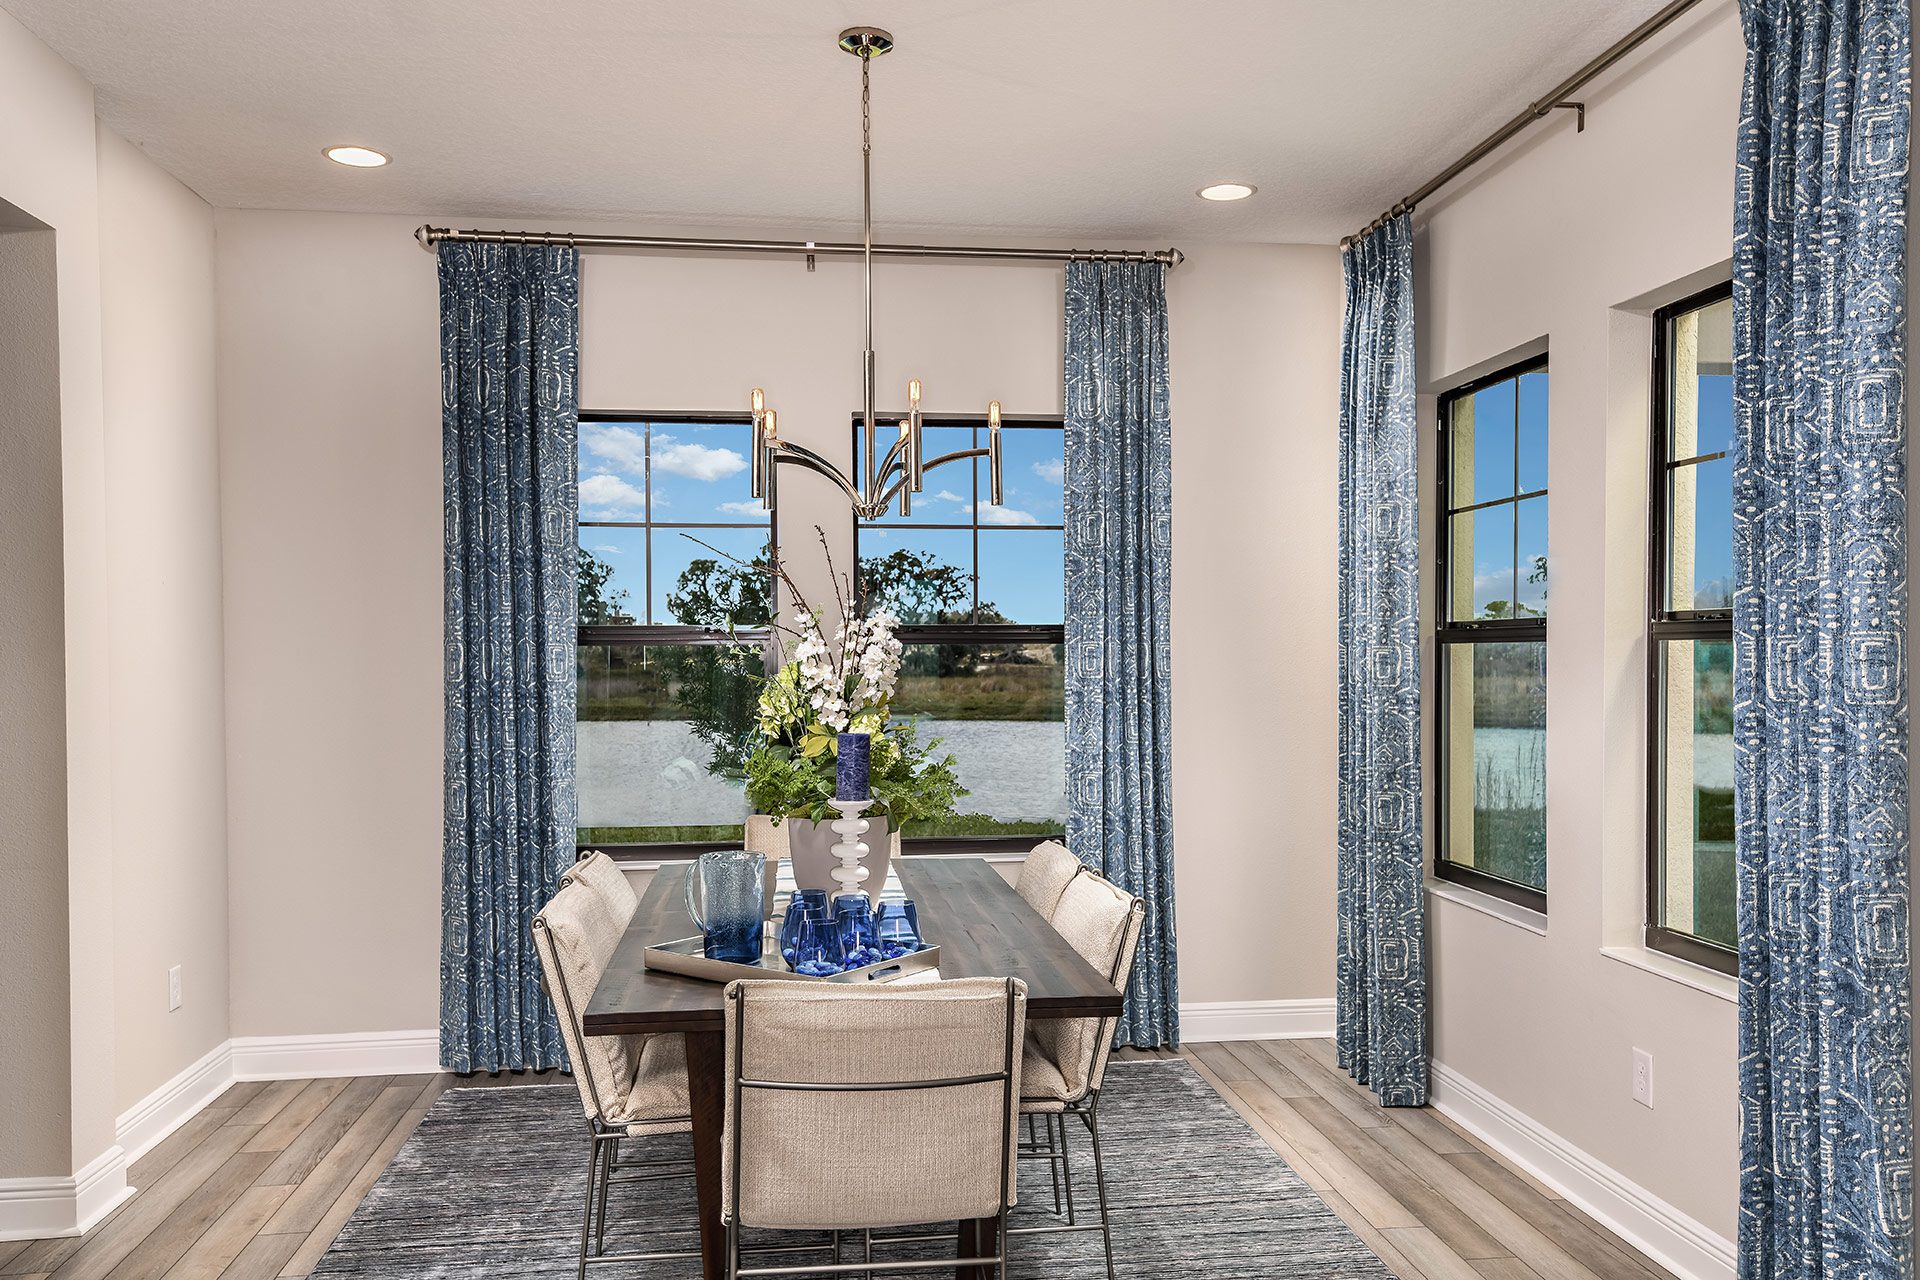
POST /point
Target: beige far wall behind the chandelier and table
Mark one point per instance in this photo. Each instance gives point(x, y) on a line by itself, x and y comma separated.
point(331, 504)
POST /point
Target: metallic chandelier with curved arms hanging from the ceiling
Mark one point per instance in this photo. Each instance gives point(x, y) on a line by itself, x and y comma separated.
point(903, 469)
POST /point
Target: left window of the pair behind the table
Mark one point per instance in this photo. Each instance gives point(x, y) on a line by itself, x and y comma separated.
point(661, 688)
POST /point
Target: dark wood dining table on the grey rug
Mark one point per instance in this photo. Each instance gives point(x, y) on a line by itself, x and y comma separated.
point(965, 907)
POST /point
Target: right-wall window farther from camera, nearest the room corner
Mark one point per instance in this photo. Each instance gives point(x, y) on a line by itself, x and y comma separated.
point(1493, 642)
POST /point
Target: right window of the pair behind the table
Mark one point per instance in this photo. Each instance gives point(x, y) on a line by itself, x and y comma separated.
point(982, 598)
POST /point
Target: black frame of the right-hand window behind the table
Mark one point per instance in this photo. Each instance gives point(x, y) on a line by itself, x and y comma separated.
point(971, 632)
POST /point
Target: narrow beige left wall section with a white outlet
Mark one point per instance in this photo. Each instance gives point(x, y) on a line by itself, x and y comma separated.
point(164, 534)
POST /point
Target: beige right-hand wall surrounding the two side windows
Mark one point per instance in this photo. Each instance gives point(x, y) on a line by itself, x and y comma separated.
point(1573, 239)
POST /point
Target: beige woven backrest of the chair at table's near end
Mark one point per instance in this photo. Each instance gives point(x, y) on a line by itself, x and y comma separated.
point(871, 1106)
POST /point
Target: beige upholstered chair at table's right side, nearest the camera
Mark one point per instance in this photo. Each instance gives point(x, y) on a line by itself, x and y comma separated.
point(1065, 1060)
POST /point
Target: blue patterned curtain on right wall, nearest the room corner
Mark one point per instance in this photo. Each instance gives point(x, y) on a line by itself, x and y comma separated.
point(1381, 964)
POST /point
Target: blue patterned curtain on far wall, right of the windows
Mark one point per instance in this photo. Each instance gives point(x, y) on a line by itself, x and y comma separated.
point(1120, 573)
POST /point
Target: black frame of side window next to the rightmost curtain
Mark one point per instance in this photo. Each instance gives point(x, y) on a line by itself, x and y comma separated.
point(1669, 625)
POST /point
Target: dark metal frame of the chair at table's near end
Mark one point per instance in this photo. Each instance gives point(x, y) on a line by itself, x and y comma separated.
point(1009, 1114)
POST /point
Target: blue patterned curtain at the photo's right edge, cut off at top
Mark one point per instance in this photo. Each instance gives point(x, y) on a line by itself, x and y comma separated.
point(1819, 640)
